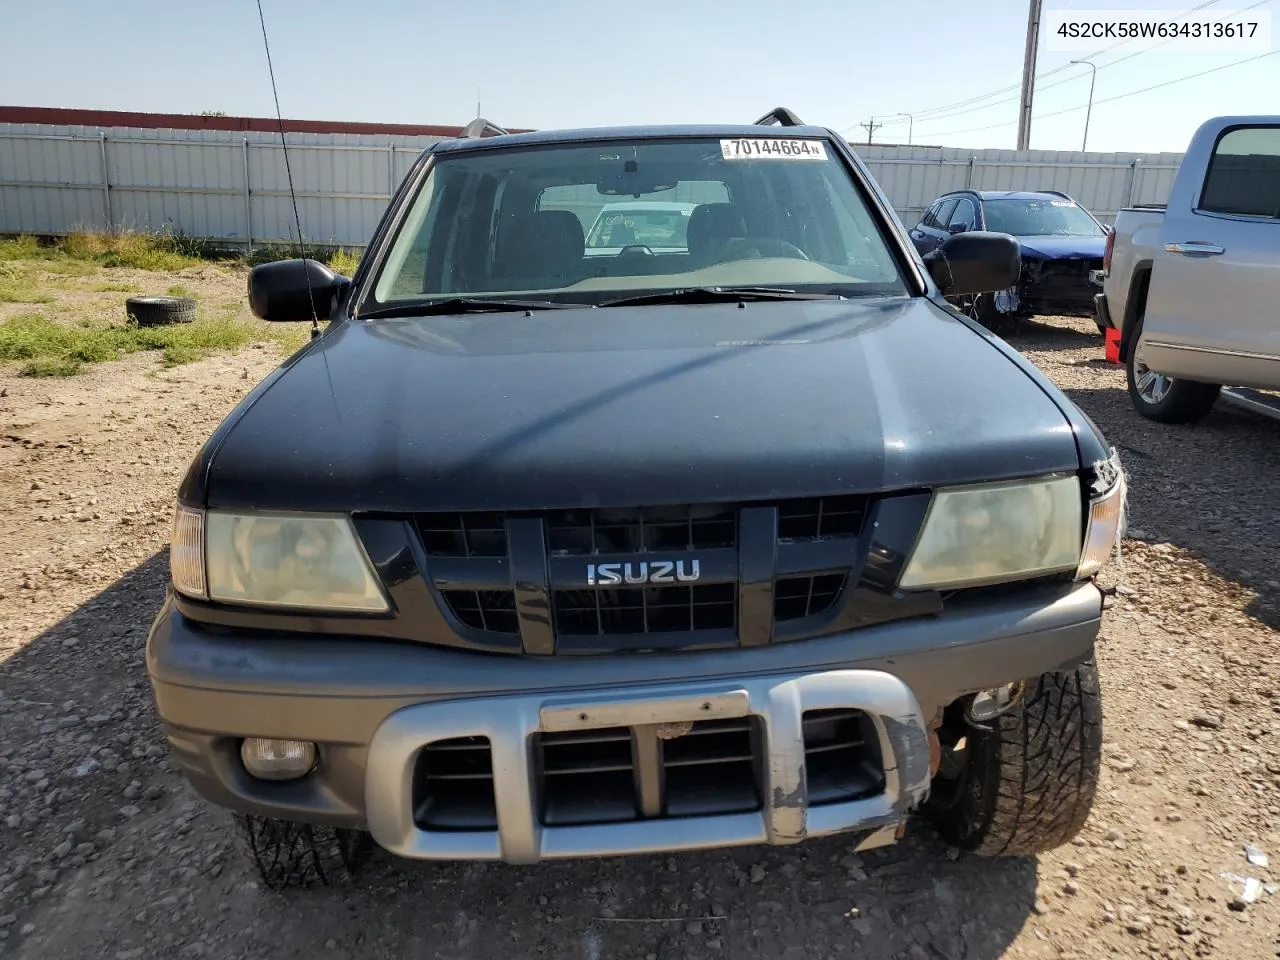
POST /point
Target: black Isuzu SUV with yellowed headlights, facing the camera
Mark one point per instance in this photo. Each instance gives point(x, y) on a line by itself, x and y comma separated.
point(537, 555)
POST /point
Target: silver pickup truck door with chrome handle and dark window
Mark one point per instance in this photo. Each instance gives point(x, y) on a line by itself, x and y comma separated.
point(1212, 310)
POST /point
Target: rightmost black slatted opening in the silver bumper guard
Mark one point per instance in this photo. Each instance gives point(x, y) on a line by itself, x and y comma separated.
point(842, 757)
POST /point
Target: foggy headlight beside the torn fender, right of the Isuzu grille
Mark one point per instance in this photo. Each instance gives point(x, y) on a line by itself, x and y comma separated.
point(994, 533)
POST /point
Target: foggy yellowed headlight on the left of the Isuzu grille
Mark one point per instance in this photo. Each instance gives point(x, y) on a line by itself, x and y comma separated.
point(282, 560)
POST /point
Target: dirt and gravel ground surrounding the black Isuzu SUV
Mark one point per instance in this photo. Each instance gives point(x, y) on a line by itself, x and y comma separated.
point(107, 853)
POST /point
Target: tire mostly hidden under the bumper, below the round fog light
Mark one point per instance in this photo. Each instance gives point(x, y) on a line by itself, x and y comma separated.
point(287, 854)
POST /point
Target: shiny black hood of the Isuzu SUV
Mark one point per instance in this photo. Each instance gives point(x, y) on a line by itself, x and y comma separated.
point(630, 406)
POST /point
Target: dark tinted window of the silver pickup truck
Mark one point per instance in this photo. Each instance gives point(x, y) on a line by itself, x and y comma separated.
point(1244, 175)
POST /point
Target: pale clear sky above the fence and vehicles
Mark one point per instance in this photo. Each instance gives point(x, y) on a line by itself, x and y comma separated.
point(561, 63)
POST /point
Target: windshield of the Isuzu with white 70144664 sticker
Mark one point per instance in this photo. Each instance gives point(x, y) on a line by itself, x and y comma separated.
point(620, 218)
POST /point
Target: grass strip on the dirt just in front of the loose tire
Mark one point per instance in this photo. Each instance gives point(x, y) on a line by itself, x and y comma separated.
point(54, 350)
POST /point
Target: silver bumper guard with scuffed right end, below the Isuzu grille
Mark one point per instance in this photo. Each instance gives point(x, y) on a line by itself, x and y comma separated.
point(778, 705)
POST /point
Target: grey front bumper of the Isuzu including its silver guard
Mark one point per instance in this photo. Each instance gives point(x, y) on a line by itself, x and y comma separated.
point(373, 707)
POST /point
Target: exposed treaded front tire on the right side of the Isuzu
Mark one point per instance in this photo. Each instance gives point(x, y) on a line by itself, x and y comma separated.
point(1026, 783)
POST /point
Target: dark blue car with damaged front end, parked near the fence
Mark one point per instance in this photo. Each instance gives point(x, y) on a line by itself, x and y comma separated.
point(1062, 243)
